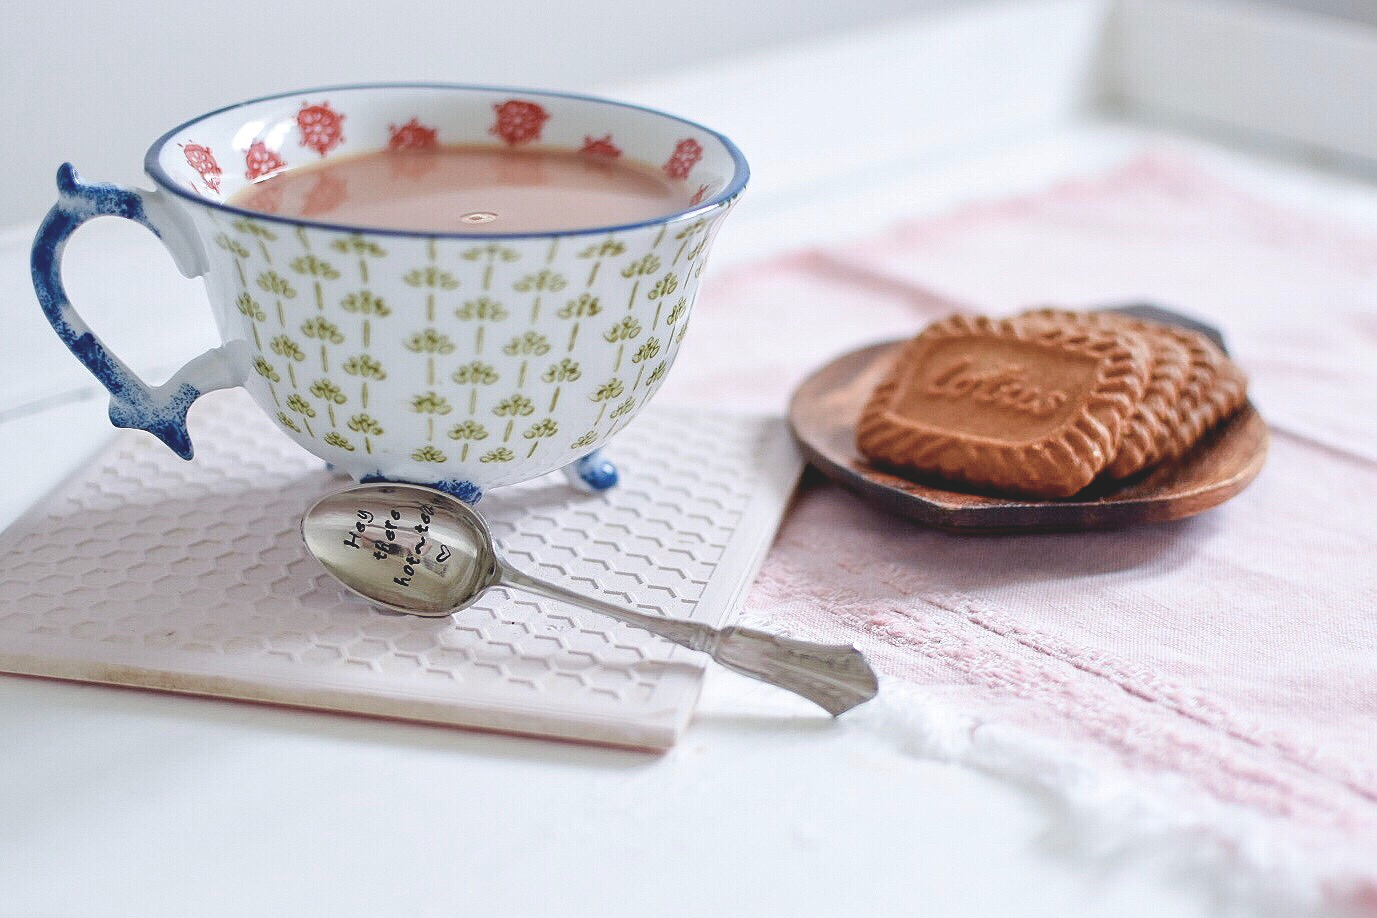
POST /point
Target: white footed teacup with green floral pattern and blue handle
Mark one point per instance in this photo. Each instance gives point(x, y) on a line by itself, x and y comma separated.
point(463, 361)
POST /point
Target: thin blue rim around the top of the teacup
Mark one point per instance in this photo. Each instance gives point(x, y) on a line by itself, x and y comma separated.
point(739, 181)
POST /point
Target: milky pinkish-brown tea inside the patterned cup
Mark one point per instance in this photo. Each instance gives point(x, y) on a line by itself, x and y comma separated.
point(470, 189)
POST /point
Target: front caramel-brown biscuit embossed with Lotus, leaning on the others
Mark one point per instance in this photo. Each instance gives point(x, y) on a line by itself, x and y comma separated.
point(1024, 408)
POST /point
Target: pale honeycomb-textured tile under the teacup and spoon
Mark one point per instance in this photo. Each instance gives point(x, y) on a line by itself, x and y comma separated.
point(191, 577)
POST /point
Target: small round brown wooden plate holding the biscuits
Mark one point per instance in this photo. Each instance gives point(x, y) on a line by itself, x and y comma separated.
point(824, 416)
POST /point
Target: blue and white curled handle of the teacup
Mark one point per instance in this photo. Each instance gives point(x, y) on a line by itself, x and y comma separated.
point(134, 404)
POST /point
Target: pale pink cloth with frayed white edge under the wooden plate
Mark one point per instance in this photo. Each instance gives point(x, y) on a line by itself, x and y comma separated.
point(1226, 664)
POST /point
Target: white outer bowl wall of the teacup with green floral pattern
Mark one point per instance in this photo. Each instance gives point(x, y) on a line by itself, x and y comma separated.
point(375, 346)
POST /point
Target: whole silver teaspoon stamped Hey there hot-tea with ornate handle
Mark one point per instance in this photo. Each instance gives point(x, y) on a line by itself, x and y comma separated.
point(419, 551)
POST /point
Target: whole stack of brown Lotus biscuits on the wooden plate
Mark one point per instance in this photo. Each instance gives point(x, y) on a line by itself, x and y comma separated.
point(1050, 401)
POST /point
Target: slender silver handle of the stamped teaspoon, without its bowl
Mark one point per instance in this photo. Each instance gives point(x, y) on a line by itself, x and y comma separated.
point(834, 676)
